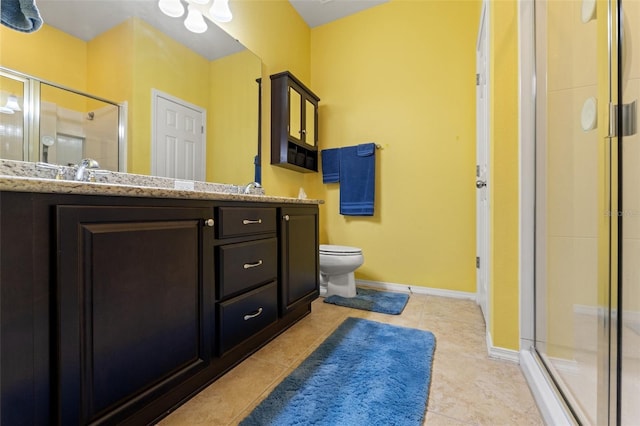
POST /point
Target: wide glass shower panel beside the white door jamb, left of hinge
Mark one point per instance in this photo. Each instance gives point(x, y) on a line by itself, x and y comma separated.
point(573, 201)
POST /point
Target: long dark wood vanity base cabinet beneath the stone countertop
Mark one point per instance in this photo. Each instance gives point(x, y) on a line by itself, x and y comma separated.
point(116, 310)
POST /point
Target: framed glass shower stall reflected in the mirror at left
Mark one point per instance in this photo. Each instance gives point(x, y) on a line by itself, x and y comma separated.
point(44, 122)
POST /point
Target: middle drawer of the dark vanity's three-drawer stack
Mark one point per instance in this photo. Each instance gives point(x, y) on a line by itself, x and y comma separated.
point(242, 266)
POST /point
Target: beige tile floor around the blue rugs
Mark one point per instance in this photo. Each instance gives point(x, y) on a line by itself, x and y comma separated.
point(467, 387)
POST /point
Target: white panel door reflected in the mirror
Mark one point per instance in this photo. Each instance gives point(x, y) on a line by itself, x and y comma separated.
point(178, 148)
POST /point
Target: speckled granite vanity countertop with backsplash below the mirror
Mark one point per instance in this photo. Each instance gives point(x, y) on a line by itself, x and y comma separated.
point(19, 176)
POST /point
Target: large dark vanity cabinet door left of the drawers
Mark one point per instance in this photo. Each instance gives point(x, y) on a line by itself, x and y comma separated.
point(134, 310)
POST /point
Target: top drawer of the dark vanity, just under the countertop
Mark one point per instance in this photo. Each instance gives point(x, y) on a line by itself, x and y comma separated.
point(238, 221)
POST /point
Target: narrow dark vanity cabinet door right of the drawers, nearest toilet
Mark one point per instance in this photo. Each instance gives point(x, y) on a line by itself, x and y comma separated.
point(298, 256)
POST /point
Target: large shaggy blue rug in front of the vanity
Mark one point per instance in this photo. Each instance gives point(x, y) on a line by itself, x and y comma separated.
point(365, 373)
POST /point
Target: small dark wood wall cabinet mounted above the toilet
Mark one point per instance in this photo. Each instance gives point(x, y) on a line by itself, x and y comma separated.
point(294, 124)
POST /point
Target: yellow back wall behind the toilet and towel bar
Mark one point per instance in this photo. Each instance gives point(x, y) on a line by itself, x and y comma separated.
point(385, 75)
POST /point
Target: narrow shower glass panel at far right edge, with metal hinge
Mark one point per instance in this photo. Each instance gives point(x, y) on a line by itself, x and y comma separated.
point(627, 301)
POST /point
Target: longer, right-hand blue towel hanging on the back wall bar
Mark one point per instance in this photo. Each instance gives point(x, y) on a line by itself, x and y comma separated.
point(357, 180)
